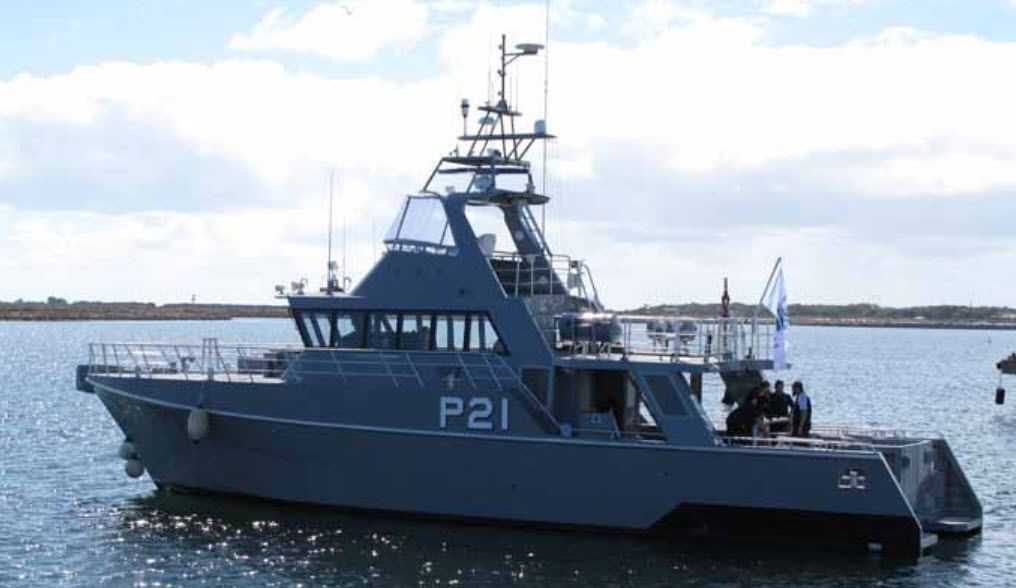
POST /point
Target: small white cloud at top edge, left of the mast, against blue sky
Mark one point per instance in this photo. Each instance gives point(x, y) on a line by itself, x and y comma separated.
point(350, 31)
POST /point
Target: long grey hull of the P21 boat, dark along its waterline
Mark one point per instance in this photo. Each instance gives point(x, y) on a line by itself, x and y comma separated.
point(709, 493)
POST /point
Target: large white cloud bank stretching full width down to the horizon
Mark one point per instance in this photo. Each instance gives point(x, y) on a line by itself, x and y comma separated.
point(725, 152)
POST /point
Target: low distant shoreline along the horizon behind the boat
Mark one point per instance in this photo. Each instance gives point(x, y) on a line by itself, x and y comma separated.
point(88, 311)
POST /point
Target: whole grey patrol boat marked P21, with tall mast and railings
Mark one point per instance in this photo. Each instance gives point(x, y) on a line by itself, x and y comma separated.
point(461, 382)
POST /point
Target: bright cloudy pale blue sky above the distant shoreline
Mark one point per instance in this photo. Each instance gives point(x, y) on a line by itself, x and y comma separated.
point(159, 151)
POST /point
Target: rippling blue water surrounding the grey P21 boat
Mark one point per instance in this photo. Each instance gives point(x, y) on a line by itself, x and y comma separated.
point(70, 516)
